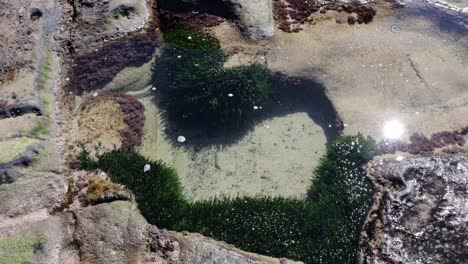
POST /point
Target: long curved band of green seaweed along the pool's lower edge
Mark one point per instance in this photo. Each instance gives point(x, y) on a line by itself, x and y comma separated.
point(323, 228)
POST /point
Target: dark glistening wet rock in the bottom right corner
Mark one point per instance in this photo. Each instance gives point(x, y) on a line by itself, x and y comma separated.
point(420, 212)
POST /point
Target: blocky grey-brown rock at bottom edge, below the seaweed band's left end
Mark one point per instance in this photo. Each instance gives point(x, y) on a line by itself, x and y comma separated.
point(111, 233)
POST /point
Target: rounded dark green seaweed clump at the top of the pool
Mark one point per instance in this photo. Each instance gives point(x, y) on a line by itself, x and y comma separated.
point(200, 89)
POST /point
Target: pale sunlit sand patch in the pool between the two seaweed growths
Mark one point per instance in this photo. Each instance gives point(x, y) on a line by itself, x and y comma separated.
point(276, 157)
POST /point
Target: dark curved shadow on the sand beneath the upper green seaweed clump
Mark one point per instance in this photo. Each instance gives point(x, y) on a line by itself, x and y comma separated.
point(289, 96)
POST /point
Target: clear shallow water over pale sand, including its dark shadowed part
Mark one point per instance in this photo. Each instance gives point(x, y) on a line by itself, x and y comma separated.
point(406, 81)
